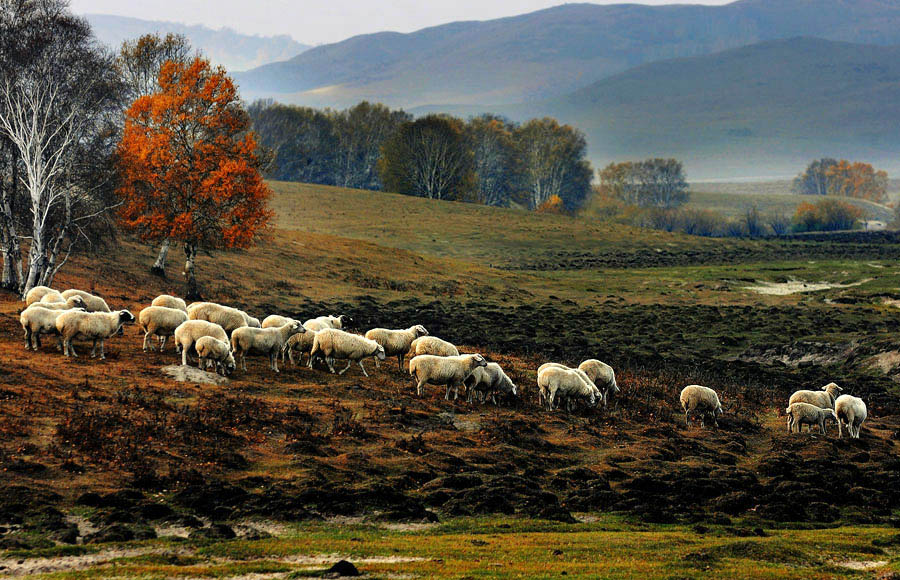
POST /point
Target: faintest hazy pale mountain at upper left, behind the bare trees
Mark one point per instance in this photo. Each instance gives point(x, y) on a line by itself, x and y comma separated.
point(226, 47)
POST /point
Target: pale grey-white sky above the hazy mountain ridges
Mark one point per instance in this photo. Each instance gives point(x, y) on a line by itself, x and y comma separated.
point(324, 21)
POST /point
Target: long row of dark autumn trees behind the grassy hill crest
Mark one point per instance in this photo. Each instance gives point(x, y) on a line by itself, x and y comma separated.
point(486, 159)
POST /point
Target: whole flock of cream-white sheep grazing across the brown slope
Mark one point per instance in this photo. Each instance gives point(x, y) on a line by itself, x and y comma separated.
point(222, 336)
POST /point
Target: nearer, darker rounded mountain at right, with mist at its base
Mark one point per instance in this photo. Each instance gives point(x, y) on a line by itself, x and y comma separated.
point(766, 107)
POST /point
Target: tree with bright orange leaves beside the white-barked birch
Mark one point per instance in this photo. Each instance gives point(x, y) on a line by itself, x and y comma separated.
point(189, 166)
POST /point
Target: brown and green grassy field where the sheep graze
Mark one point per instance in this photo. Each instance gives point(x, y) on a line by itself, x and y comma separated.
point(360, 467)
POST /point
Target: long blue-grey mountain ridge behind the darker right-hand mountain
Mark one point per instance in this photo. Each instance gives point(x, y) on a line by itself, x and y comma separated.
point(551, 52)
